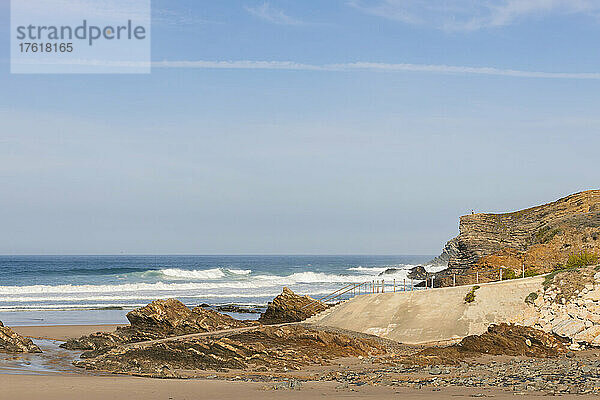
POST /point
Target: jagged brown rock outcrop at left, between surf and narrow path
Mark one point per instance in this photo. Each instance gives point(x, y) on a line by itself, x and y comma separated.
point(158, 320)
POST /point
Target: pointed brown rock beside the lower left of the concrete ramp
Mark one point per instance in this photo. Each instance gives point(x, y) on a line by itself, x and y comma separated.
point(290, 307)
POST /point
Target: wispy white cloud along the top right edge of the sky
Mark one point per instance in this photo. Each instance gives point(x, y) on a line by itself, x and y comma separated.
point(472, 14)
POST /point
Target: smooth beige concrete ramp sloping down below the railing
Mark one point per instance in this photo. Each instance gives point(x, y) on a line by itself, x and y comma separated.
point(439, 315)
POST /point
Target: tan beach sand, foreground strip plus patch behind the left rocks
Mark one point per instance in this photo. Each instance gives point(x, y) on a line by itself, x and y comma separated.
point(57, 385)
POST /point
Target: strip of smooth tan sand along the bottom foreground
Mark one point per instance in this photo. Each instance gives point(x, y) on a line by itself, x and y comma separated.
point(77, 387)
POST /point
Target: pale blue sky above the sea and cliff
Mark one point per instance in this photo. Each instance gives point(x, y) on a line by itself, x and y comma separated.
point(351, 126)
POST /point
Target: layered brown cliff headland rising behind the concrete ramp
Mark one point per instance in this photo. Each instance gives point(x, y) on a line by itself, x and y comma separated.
point(541, 237)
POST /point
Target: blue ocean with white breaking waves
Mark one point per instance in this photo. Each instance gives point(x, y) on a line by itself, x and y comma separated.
point(48, 290)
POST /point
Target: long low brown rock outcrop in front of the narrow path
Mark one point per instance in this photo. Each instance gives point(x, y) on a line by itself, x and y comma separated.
point(266, 348)
